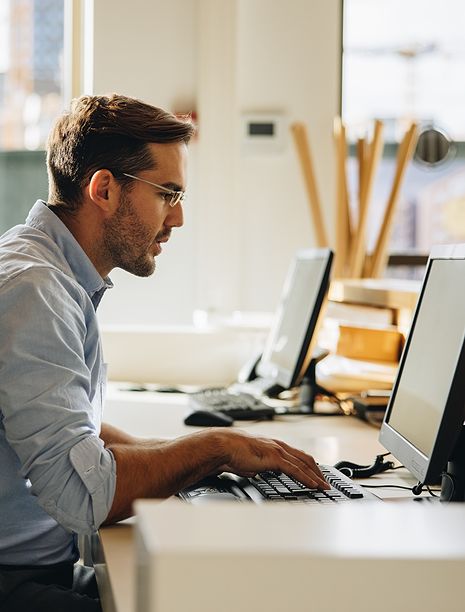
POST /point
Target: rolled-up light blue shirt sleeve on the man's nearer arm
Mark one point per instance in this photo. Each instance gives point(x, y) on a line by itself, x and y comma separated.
point(49, 396)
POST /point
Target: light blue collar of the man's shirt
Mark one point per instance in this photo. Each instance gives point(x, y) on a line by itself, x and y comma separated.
point(42, 218)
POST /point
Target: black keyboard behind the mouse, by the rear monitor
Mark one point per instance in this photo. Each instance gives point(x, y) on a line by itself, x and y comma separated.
point(240, 406)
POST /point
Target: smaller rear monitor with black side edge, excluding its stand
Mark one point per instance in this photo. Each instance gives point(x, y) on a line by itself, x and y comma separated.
point(291, 340)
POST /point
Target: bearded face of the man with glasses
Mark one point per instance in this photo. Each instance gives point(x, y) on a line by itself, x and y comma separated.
point(133, 235)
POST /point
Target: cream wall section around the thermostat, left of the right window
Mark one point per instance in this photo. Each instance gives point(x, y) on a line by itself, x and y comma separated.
point(288, 62)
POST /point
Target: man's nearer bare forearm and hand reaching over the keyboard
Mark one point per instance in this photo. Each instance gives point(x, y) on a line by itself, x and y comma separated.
point(159, 469)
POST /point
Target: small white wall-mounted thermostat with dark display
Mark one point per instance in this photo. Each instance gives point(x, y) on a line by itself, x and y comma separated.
point(262, 133)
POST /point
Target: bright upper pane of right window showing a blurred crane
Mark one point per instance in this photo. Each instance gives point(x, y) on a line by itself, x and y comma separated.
point(402, 61)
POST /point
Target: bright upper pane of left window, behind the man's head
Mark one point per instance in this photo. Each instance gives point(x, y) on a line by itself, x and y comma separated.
point(31, 79)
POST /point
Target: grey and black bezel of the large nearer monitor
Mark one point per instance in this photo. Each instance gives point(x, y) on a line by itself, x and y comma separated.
point(427, 469)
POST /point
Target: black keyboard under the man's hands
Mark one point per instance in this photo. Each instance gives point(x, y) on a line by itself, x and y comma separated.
point(275, 487)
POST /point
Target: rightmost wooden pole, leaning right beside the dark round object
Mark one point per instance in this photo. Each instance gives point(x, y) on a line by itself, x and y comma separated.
point(404, 155)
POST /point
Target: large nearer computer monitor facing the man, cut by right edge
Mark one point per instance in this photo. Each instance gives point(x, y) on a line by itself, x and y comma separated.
point(426, 411)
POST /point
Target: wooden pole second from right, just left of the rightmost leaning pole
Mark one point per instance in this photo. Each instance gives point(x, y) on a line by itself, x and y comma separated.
point(368, 174)
